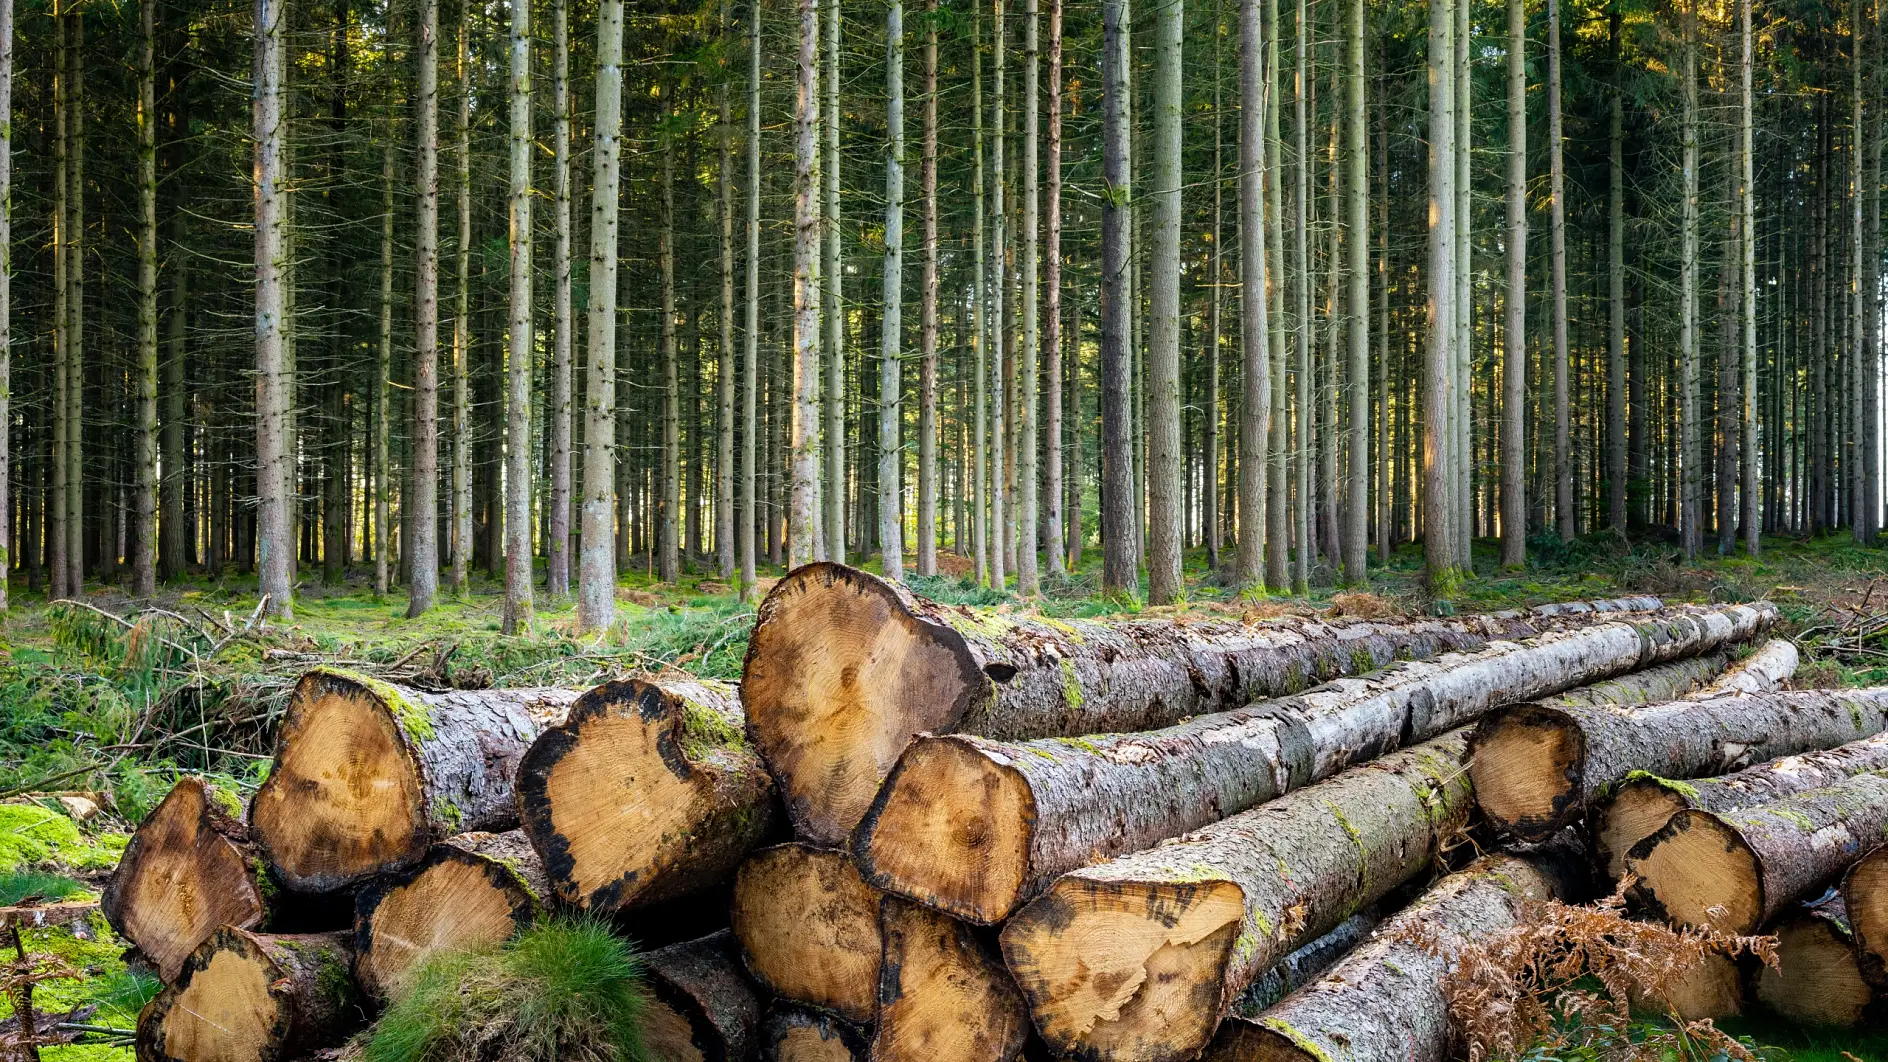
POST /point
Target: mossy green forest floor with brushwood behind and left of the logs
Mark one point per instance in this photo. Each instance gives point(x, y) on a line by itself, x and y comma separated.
point(116, 710)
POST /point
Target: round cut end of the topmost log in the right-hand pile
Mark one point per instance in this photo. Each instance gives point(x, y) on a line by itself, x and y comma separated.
point(1526, 770)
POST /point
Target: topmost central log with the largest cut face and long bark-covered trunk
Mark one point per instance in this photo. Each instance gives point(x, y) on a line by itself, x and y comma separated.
point(845, 670)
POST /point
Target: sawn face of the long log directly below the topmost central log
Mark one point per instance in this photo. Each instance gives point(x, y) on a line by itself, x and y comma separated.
point(951, 829)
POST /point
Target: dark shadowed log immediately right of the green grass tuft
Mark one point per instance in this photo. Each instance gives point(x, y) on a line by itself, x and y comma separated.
point(701, 1004)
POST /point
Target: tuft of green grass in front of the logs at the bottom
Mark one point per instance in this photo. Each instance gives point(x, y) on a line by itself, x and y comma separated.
point(565, 991)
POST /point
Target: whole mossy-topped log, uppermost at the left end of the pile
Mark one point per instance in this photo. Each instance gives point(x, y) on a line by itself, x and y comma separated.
point(369, 774)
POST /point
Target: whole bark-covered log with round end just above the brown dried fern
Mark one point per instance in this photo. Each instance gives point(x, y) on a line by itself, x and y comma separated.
point(1742, 868)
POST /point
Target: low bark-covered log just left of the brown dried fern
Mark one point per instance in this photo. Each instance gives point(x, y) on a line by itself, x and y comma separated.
point(1385, 1001)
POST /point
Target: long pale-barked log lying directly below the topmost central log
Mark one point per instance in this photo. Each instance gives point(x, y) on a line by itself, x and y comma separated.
point(977, 827)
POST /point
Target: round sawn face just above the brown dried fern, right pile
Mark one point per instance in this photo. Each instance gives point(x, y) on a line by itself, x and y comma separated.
point(1698, 872)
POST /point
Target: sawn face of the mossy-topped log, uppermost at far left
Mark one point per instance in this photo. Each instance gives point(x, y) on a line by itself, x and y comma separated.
point(346, 796)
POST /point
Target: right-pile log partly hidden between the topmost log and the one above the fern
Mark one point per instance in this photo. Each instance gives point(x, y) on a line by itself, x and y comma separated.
point(1642, 804)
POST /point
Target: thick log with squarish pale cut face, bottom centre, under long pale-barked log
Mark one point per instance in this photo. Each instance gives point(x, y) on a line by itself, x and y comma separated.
point(1139, 959)
